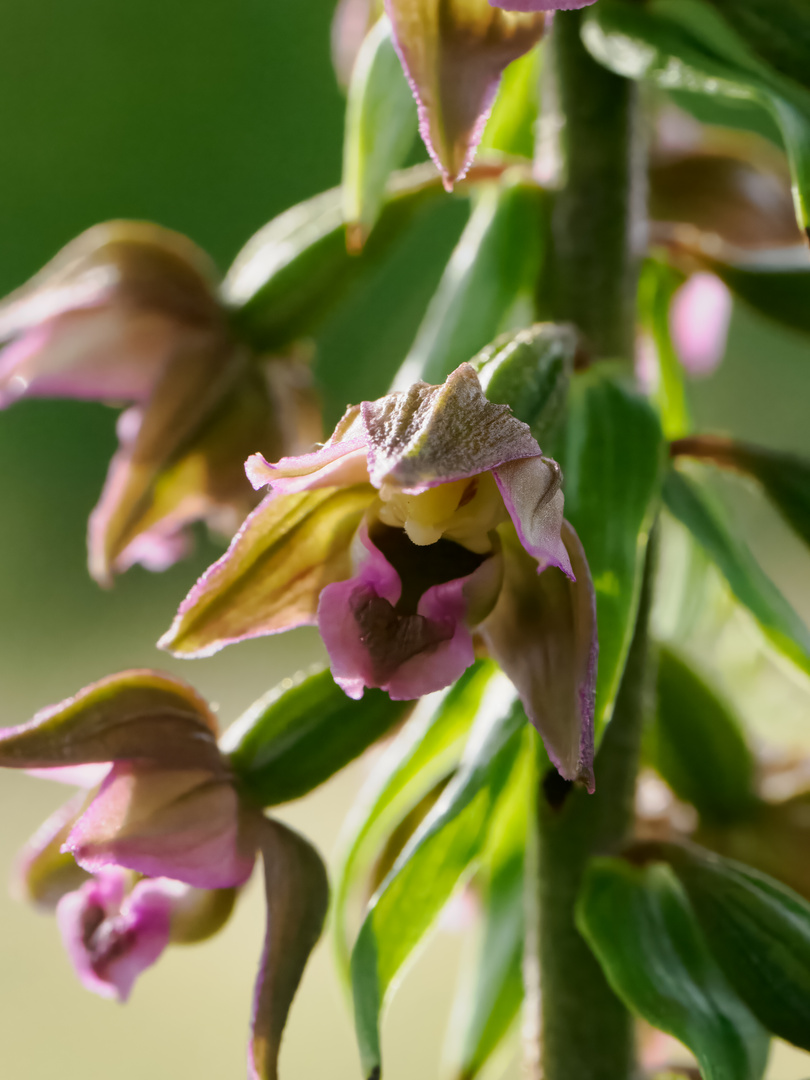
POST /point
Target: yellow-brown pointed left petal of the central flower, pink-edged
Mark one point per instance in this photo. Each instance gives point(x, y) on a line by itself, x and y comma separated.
point(272, 576)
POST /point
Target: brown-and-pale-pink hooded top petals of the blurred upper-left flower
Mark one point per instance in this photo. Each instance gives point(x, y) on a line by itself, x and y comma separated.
point(102, 319)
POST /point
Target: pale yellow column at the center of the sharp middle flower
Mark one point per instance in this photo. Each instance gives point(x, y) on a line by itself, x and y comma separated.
point(465, 511)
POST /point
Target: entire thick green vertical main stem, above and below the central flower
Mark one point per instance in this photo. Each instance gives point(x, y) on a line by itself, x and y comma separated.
point(587, 1032)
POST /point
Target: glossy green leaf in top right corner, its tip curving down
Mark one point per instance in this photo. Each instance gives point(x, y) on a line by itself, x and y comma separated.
point(687, 46)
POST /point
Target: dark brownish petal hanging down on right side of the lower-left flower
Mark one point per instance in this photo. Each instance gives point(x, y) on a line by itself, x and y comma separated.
point(298, 897)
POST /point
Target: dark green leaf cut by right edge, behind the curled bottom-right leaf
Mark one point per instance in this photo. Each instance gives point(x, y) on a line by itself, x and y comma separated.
point(759, 931)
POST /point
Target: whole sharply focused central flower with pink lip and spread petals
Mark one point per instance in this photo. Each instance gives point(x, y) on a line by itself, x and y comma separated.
point(426, 519)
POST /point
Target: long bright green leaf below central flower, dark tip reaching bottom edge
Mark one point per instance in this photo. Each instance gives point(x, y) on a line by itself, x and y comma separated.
point(428, 871)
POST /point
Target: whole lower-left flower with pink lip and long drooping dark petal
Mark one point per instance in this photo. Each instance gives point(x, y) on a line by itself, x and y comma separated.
point(156, 853)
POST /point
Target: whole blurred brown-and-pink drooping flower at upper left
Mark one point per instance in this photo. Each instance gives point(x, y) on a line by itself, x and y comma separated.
point(129, 314)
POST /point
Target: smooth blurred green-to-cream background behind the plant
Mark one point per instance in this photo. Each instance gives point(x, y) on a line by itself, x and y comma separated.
point(210, 118)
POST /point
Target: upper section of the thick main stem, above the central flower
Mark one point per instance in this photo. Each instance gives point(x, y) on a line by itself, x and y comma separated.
point(599, 209)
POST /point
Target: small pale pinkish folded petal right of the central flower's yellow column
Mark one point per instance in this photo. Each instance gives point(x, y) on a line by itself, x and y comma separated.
point(532, 494)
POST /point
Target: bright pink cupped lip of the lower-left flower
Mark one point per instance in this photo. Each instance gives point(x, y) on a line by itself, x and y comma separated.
point(112, 939)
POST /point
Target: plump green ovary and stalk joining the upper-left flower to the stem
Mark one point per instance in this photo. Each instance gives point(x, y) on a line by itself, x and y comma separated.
point(291, 274)
